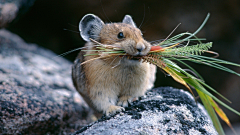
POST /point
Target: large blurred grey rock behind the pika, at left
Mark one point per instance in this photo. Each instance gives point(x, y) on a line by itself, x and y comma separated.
point(36, 92)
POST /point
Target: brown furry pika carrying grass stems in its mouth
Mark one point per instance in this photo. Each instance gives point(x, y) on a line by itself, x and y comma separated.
point(108, 85)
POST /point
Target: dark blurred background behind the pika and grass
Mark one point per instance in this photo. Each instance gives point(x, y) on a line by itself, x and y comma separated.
point(46, 21)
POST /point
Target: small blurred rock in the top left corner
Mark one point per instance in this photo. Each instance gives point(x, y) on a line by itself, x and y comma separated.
point(9, 10)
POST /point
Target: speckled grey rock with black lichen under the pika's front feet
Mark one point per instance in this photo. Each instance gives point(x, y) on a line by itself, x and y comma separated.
point(164, 110)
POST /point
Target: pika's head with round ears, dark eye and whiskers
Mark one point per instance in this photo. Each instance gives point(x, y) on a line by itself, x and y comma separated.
point(124, 35)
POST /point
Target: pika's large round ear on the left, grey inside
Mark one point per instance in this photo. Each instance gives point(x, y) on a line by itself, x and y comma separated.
point(90, 27)
